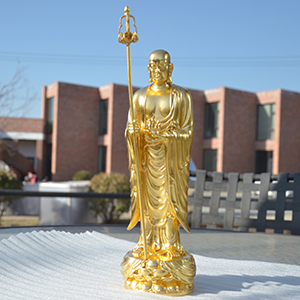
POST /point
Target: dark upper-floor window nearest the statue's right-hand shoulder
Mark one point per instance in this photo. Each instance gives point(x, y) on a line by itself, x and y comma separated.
point(211, 120)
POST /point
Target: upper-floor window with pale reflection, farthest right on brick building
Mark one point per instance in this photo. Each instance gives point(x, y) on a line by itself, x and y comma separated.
point(265, 122)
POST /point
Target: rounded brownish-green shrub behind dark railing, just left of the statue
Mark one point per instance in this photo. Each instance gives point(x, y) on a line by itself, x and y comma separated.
point(109, 209)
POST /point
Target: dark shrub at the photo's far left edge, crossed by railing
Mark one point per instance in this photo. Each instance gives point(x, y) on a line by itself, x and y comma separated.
point(7, 182)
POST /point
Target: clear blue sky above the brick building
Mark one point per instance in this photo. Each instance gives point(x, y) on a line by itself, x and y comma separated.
point(248, 45)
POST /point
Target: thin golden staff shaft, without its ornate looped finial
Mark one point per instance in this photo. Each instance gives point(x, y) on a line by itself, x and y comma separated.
point(136, 152)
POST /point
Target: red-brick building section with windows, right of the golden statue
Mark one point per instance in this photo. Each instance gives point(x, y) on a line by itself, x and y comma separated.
point(248, 132)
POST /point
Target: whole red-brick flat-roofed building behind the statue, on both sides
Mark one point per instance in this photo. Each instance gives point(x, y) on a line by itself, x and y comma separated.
point(234, 131)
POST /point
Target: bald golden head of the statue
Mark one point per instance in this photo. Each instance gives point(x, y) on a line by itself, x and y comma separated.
point(159, 68)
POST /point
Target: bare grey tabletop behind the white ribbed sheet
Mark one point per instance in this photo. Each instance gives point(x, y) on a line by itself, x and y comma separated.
point(218, 244)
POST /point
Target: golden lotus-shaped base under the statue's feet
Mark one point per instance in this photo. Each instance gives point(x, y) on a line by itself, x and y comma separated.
point(167, 277)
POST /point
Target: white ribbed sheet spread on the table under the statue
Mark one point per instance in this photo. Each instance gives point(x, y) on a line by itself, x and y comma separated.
point(59, 265)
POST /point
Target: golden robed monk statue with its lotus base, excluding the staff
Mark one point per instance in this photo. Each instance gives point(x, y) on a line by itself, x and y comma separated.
point(163, 127)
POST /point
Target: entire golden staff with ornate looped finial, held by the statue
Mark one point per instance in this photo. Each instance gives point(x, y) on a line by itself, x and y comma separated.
point(127, 38)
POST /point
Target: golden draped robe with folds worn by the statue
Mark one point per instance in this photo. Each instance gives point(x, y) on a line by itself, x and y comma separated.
point(163, 160)
